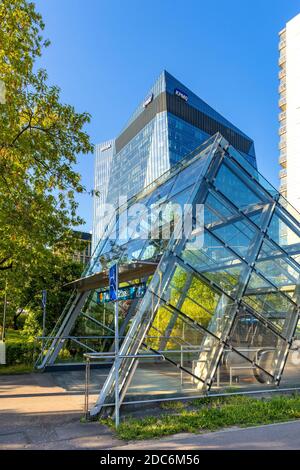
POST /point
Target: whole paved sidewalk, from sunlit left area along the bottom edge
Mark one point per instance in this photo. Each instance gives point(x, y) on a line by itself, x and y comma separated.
point(43, 411)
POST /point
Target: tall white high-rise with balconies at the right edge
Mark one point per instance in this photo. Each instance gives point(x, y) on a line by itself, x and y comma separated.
point(289, 117)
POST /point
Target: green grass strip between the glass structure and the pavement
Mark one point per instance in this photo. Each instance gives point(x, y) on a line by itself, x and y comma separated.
point(212, 414)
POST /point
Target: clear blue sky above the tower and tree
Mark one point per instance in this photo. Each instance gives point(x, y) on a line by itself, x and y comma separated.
point(105, 54)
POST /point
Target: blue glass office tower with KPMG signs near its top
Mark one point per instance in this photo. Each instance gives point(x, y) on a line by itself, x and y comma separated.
point(170, 122)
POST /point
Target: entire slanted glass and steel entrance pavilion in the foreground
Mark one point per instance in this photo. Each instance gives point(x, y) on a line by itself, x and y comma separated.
point(221, 299)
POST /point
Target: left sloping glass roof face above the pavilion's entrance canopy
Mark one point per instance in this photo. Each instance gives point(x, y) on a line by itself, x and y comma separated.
point(175, 186)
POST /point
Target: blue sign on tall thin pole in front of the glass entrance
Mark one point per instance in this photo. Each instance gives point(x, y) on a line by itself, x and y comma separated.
point(113, 294)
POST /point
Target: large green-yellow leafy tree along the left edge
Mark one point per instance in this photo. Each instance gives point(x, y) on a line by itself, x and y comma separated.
point(40, 139)
